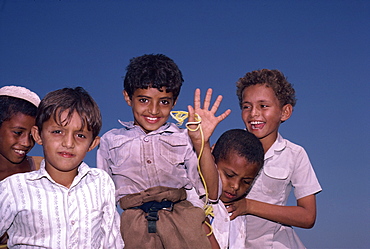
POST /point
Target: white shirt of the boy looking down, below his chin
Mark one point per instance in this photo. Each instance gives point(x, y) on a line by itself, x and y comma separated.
point(229, 234)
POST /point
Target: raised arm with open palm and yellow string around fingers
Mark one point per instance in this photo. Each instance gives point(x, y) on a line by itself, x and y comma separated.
point(207, 126)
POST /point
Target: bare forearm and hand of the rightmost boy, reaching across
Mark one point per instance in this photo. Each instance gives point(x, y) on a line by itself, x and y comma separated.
point(303, 215)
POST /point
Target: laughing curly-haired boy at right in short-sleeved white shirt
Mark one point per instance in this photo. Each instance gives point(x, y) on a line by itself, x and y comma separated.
point(267, 100)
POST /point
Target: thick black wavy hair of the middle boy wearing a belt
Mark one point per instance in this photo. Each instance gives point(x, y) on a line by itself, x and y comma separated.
point(155, 71)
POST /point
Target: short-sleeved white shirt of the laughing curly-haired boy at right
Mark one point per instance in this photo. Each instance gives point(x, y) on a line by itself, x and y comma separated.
point(286, 165)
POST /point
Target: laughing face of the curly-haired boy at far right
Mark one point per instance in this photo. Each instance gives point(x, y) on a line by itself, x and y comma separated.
point(262, 112)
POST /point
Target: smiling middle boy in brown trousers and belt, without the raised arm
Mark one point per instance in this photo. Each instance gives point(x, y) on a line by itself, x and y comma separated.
point(152, 162)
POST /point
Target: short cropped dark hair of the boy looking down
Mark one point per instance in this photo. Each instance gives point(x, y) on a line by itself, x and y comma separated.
point(241, 142)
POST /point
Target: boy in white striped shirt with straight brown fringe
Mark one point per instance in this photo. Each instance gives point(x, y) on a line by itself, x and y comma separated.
point(65, 204)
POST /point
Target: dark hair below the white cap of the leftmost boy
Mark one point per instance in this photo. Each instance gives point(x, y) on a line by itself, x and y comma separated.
point(10, 106)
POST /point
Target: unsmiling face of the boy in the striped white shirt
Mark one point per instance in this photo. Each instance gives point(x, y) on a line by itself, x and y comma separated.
point(64, 146)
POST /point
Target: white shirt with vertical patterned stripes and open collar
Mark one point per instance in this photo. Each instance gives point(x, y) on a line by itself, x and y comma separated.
point(38, 212)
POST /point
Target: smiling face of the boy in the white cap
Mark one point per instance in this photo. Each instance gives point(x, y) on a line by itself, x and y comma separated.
point(15, 137)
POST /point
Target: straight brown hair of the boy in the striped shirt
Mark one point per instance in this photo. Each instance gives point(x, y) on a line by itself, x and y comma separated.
point(71, 99)
